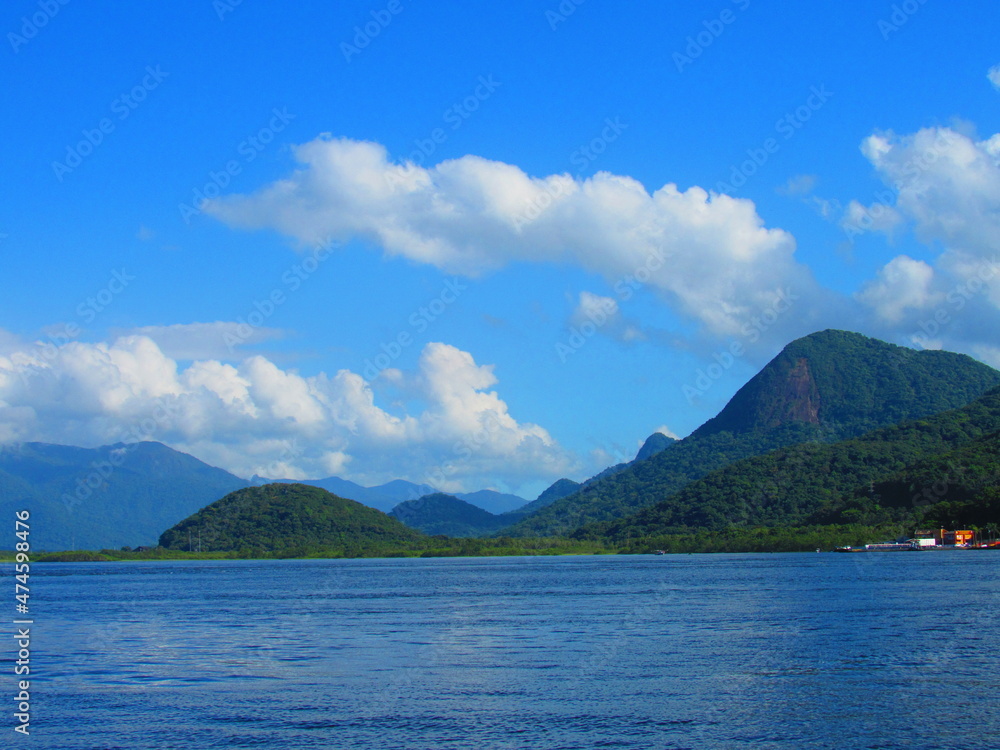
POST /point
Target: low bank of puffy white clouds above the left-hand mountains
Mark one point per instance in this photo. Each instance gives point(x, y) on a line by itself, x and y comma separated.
point(256, 418)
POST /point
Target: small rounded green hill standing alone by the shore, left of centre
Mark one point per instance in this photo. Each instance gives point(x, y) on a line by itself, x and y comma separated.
point(285, 517)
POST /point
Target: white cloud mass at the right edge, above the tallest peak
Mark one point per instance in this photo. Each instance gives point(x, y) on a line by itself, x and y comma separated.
point(947, 188)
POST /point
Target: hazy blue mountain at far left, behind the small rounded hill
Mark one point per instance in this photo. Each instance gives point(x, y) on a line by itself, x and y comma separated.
point(112, 496)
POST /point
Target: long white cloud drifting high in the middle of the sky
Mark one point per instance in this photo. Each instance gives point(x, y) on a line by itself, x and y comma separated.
point(714, 259)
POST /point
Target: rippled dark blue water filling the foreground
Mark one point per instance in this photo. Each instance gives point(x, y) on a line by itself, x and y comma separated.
point(880, 650)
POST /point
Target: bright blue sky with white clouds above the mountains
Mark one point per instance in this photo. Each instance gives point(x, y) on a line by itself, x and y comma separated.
point(478, 245)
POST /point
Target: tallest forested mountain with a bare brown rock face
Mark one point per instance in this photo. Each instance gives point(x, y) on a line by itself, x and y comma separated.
point(822, 388)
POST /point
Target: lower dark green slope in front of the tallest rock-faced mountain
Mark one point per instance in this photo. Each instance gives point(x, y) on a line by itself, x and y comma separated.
point(890, 475)
